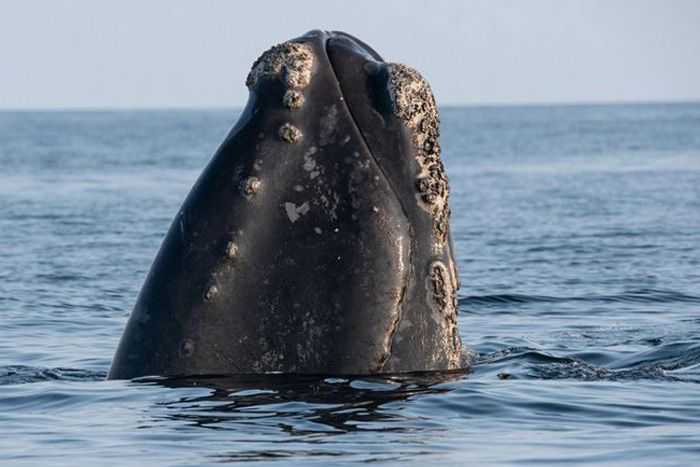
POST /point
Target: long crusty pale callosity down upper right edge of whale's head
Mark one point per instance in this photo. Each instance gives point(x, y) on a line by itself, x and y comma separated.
point(415, 105)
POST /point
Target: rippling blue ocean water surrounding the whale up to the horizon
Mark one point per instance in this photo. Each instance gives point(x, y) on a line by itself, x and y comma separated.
point(577, 232)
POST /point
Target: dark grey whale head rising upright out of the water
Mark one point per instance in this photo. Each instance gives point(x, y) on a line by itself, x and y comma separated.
point(317, 238)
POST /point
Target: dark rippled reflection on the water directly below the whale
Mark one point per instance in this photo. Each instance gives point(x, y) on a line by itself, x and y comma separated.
point(301, 405)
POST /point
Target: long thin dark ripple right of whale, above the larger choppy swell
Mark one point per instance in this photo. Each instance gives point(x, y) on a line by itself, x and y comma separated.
point(631, 296)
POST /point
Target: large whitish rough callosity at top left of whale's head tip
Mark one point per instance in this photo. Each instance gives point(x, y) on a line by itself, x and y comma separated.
point(290, 61)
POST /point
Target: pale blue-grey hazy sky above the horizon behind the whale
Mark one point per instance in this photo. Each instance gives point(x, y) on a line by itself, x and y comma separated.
point(128, 54)
